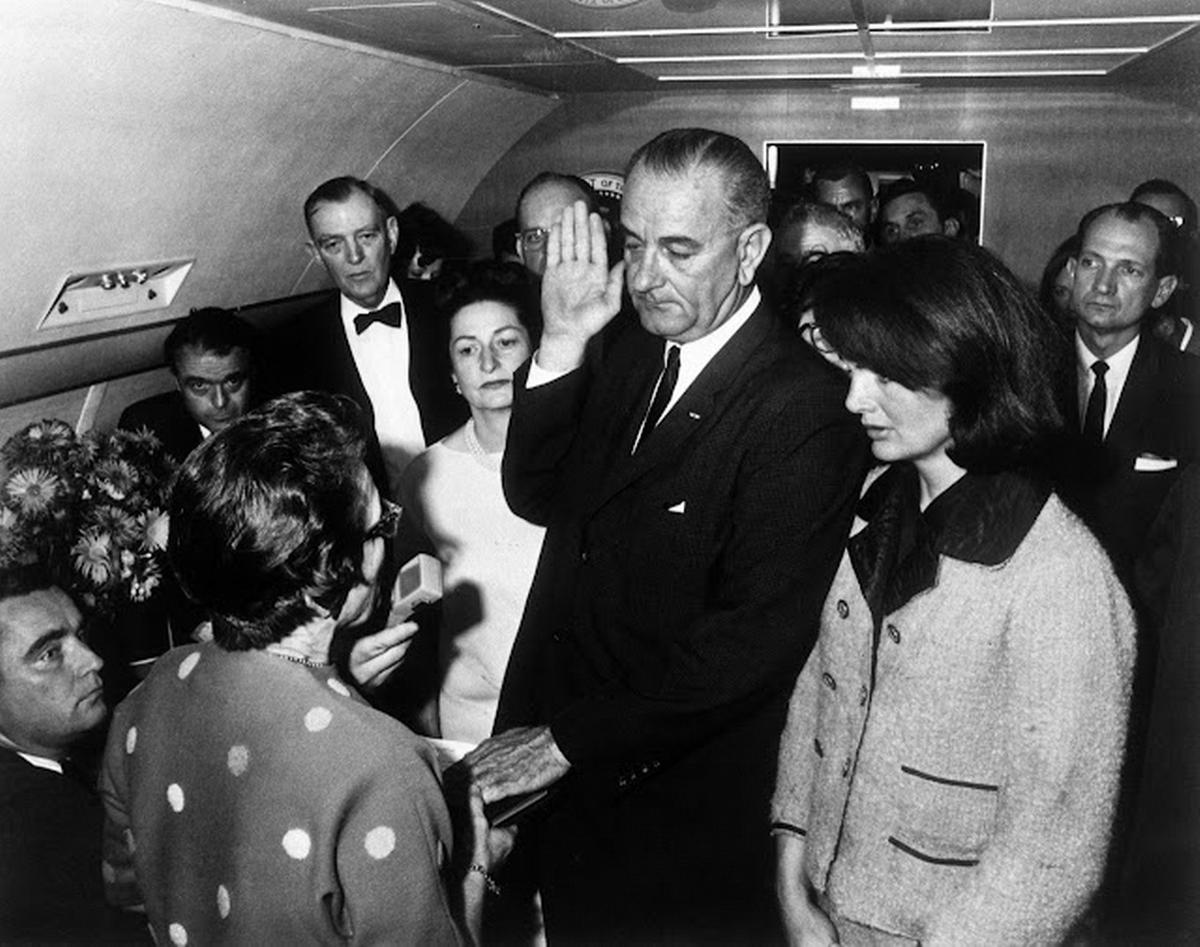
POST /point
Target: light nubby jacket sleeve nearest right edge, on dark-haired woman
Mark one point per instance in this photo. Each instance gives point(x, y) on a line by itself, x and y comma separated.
point(1070, 643)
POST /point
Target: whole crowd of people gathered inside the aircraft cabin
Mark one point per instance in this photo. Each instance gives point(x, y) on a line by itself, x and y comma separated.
point(815, 584)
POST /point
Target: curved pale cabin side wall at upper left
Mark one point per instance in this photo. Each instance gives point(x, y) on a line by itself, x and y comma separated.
point(139, 133)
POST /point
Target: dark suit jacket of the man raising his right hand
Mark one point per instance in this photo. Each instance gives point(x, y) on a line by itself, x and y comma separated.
point(675, 602)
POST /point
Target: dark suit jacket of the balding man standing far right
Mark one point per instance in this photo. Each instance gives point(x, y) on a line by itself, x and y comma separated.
point(1159, 415)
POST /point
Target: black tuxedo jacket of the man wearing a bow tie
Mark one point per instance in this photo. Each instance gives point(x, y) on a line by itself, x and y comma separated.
point(311, 352)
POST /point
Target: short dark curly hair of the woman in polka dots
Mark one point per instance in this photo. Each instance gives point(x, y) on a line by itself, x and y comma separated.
point(267, 518)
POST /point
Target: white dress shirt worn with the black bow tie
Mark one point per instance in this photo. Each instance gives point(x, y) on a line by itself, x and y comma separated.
point(382, 356)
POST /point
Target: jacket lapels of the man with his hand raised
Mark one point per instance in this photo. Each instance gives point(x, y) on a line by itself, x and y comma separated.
point(698, 407)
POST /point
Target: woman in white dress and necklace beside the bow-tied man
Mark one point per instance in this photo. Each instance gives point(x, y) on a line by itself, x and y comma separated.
point(453, 495)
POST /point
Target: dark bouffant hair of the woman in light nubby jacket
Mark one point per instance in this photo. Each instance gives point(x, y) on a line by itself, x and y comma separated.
point(944, 315)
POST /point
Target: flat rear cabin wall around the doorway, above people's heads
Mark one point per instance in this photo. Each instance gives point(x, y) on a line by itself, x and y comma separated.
point(1052, 155)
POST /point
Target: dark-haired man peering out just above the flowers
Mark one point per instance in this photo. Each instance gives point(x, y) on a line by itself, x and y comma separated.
point(212, 355)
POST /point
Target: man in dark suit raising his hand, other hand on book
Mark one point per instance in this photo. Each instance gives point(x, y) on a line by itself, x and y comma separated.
point(698, 483)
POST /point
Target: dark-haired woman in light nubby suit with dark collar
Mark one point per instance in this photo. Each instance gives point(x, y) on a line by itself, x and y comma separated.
point(951, 760)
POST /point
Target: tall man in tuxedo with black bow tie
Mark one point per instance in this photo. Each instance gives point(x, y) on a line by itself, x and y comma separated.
point(385, 349)
